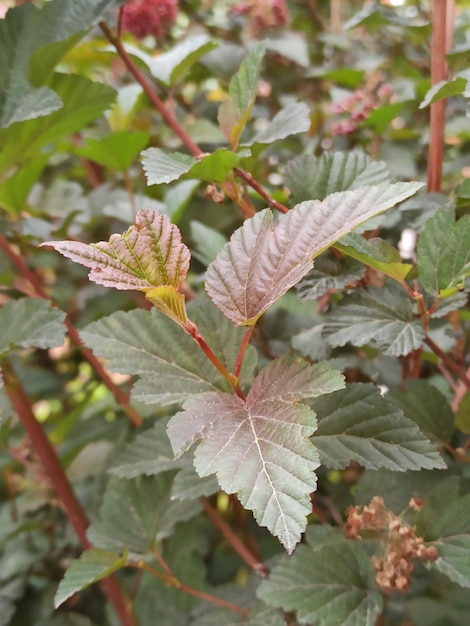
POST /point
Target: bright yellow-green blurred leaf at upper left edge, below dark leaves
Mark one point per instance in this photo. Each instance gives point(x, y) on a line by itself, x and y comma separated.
point(83, 100)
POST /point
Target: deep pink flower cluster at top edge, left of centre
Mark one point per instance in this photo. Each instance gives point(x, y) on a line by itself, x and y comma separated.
point(148, 17)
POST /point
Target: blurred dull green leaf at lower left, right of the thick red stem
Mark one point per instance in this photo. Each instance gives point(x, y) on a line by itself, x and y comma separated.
point(137, 514)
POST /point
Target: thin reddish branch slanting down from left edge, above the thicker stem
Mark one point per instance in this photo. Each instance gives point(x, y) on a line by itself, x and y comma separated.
point(121, 397)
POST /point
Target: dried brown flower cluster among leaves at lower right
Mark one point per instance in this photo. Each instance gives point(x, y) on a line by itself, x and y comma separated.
point(402, 546)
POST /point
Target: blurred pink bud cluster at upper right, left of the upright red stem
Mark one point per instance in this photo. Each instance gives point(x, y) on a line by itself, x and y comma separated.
point(356, 108)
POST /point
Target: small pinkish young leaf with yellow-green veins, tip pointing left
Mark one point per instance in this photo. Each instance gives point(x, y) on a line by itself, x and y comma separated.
point(149, 254)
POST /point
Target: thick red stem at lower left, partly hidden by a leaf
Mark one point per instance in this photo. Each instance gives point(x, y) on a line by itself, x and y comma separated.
point(55, 473)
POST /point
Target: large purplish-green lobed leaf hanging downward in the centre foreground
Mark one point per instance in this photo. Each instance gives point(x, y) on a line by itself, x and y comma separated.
point(258, 447)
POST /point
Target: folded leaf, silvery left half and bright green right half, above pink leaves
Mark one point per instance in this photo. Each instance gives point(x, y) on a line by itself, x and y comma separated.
point(160, 167)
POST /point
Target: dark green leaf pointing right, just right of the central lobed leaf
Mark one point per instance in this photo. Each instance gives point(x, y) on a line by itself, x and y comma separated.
point(357, 424)
